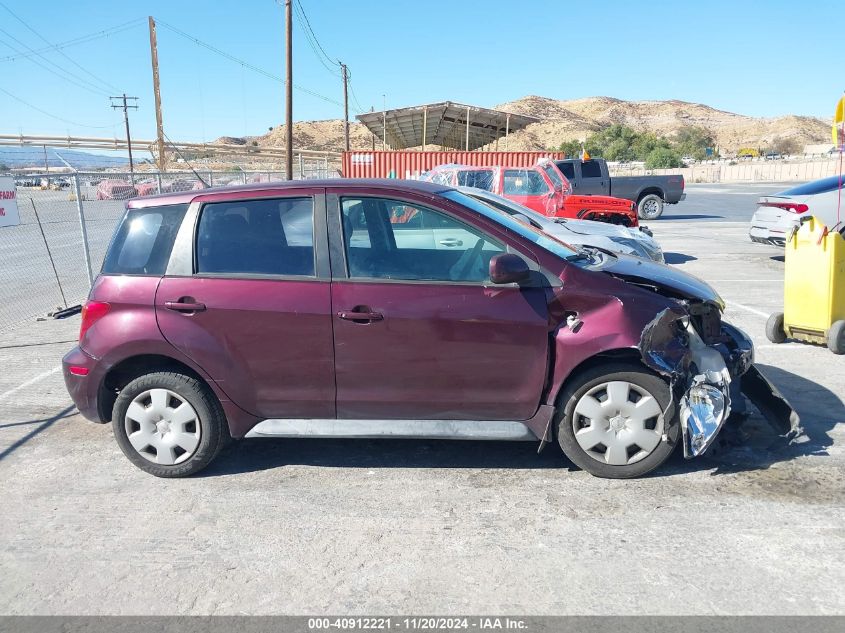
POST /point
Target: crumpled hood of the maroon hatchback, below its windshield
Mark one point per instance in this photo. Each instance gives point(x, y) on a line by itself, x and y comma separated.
point(672, 281)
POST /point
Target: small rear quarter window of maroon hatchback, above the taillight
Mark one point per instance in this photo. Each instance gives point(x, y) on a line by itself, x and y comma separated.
point(144, 240)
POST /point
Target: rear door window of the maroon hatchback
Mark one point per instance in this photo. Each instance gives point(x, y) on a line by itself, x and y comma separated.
point(262, 237)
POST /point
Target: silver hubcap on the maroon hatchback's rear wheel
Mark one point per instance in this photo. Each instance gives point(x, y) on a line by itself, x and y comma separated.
point(162, 427)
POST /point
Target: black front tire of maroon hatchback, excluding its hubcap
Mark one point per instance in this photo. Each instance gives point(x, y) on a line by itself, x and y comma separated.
point(633, 374)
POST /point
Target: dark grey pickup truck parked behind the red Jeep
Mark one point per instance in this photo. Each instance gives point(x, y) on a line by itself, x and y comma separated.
point(649, 193)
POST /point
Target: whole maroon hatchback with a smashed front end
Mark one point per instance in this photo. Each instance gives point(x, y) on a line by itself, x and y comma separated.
point(355, 308)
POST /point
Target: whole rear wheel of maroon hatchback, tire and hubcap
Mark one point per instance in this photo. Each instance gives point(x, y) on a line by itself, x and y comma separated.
point(169, 424)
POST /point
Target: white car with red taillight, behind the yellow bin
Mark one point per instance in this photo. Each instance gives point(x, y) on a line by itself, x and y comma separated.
point(779, 214)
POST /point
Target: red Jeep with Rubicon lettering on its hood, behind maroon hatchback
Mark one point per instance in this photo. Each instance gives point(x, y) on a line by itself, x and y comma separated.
point(541, 188)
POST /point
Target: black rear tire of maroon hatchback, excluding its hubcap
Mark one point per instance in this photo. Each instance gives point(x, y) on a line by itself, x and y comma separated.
point(210, 420)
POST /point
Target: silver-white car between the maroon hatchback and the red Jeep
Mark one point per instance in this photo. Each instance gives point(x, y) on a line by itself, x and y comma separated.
point(612, 237)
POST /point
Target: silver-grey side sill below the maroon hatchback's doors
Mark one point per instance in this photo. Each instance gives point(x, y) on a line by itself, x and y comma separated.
point(421, 429)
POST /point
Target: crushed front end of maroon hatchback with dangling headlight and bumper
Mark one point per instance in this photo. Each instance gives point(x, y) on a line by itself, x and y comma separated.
point(704, 374)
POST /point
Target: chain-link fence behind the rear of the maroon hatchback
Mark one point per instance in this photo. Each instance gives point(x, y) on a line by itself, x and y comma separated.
point(66, 222)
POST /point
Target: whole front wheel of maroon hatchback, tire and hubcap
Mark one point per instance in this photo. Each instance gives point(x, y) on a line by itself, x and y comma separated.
point(618, 421)
